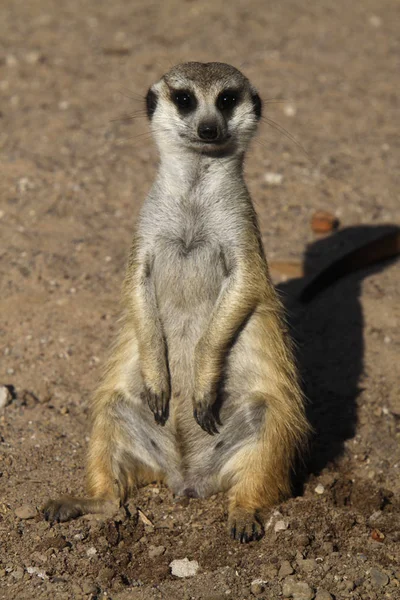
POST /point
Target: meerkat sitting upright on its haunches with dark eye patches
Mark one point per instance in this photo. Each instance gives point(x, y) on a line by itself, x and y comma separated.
point(201, 389)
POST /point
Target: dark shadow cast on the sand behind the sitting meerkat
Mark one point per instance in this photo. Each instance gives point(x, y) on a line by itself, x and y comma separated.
point(329, 337)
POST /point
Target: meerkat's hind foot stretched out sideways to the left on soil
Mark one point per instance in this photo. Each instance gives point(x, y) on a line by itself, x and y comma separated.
point(68, 507)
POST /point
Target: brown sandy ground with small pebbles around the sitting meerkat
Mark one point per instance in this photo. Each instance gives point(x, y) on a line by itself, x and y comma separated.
point(75, 169)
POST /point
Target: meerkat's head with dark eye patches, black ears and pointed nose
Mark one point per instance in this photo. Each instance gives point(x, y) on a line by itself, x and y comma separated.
point(209, 108)
